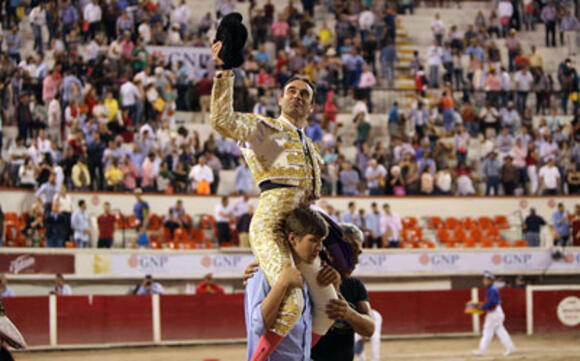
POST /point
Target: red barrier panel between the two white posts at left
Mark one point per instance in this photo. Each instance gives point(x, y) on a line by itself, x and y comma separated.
point(104, 319)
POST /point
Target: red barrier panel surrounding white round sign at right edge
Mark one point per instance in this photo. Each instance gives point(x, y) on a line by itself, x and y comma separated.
point(545, 308)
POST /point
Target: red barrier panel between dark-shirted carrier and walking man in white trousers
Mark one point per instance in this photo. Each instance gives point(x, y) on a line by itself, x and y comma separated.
point(416, 312)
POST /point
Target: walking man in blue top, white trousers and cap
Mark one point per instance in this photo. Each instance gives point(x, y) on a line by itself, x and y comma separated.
point(494, 318)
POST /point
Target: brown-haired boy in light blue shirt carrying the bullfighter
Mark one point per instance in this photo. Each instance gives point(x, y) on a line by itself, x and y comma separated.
point(304, 231)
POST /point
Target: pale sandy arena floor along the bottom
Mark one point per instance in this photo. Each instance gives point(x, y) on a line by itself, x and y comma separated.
point(550, 347)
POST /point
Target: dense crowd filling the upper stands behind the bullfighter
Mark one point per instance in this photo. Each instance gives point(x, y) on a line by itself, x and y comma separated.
point(101, 116)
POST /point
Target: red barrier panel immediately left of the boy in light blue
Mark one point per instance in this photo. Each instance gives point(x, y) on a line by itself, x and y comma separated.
point(202, 317)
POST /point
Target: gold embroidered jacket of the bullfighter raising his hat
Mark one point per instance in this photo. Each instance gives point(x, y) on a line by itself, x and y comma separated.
point(272, 149)
